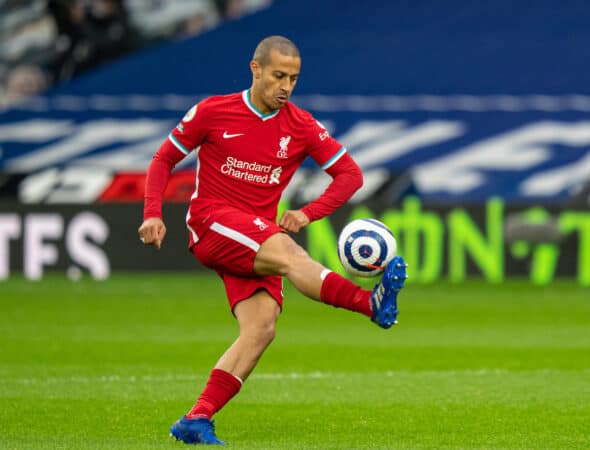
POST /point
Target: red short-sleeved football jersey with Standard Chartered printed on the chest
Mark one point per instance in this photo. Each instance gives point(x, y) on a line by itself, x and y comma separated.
point(245, 158)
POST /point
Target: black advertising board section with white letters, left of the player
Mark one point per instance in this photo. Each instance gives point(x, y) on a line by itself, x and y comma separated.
point(95, 239)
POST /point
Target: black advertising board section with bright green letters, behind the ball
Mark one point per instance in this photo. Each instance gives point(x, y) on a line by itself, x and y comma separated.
point(491, 240)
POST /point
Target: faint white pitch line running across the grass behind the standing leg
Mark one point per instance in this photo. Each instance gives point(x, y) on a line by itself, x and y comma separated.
point(284, 376)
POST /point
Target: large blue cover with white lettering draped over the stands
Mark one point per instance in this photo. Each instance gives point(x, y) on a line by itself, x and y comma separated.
point(463, 101)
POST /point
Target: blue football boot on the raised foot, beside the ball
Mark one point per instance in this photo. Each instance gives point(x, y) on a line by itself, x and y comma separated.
point(384, 295)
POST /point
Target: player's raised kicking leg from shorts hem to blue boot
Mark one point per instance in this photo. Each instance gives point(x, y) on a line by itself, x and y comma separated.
point(281, 255)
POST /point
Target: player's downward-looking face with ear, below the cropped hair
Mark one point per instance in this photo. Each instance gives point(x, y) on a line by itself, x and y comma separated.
point(274, 82)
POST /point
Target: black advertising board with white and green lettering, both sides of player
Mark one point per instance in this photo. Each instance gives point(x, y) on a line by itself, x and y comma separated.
point(490, 240)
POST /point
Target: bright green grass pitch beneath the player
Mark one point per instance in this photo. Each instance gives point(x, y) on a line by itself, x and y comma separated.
point(113, 364)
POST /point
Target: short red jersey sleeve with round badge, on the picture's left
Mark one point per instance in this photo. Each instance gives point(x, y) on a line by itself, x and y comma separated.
point(191, 131)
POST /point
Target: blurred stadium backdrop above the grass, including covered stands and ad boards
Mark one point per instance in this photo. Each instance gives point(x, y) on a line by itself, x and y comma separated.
point(470, 122)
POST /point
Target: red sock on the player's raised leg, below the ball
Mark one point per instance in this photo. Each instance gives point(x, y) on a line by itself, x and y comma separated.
point(342, 293)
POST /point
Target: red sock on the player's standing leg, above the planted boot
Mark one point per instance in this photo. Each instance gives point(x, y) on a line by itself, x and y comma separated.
point(220, 389)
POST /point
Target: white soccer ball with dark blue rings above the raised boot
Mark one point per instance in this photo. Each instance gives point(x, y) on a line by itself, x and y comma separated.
point(365, 247)
